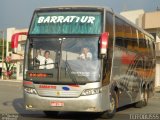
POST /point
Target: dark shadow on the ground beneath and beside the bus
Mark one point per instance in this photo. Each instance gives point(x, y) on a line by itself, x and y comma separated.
point(18, 105)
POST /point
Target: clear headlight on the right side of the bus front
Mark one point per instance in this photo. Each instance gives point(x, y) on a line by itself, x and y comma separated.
point(91, 91)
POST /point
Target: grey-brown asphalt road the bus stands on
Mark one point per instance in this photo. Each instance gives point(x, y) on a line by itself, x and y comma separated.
point(11, 108)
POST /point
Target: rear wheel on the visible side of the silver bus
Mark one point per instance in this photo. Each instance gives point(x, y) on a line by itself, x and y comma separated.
point(144, 101)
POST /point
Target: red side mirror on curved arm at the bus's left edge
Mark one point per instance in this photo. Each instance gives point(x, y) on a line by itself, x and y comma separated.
point(14, 41)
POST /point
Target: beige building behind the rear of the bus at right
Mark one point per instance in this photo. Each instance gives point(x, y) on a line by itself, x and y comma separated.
point(149, 21)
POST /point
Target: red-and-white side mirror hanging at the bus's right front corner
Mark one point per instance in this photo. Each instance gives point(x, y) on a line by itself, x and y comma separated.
point(104, 43)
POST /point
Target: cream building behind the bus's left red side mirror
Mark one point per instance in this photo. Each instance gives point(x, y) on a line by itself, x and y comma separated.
point(16, 58)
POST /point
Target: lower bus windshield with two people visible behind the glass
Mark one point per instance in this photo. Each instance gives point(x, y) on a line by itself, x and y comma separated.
point(76, 57)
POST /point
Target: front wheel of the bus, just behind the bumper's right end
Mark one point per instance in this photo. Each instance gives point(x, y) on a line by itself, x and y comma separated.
point(113, 105)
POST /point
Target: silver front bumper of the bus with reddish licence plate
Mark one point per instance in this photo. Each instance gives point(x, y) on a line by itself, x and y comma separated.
point(91, 103)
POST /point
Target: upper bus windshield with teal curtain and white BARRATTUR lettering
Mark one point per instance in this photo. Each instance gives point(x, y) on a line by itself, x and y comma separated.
point(66, 23)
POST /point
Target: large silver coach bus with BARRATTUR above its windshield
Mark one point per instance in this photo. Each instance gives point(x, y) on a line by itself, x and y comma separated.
point(86, 59)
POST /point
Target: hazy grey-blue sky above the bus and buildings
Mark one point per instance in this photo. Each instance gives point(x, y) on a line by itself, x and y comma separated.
point(18, 13)
